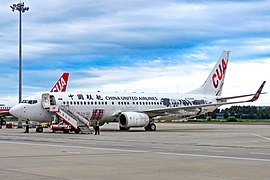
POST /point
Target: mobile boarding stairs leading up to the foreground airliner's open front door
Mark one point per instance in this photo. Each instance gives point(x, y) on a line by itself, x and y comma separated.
point(70, 116)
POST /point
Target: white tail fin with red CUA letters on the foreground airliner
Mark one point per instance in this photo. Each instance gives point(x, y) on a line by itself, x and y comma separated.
point(214, 83)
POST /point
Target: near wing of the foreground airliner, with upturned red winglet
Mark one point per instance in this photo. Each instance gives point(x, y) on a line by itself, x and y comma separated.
point(194, 107)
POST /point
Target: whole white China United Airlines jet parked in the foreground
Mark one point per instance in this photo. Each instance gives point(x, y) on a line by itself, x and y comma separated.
point(82, 109)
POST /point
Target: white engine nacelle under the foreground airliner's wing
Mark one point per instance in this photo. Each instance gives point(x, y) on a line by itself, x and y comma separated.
point(133, 119)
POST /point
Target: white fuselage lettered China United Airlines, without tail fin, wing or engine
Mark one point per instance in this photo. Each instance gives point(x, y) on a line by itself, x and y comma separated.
point(111, 104)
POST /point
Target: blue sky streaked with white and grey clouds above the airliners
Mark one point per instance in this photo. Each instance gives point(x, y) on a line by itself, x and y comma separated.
point(138, 45)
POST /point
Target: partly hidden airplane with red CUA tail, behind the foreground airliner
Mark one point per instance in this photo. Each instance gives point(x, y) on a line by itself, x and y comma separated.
point(60, 86)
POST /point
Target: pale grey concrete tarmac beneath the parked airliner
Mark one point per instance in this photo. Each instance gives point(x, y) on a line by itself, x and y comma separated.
point(174, 151)
